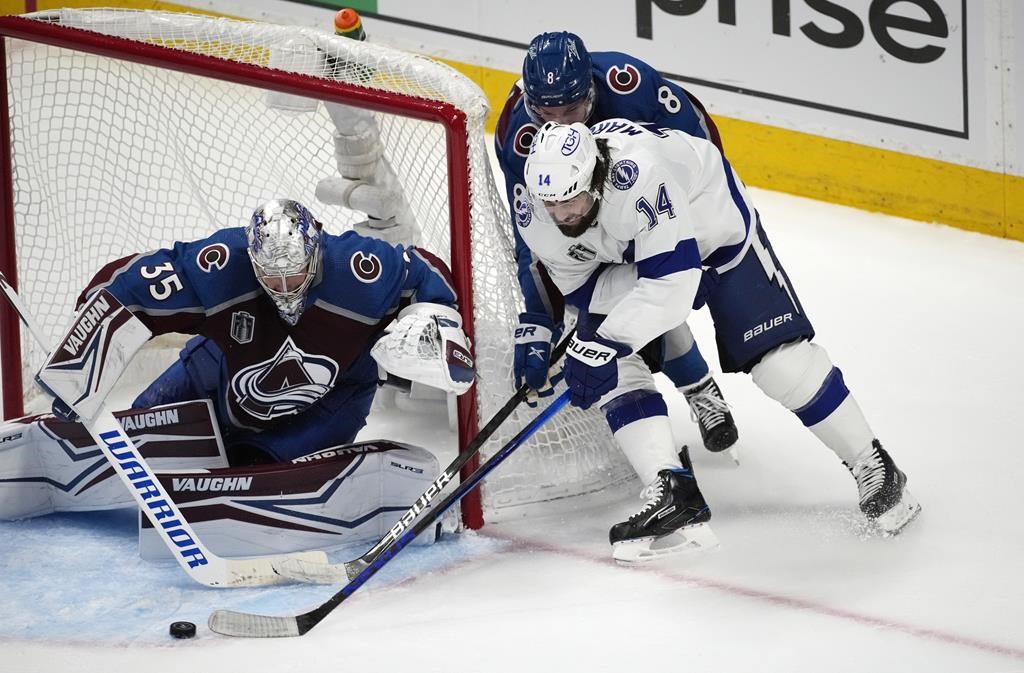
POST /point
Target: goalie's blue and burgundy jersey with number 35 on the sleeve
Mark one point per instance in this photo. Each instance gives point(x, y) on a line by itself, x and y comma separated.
point(274, 369)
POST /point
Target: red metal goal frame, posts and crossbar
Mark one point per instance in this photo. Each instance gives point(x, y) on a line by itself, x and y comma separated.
point(457, 150)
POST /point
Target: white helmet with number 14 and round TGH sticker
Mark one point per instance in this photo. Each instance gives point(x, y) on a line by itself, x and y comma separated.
point(562, 161)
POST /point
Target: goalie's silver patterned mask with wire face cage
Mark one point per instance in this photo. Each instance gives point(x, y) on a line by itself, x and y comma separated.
point(285, 249)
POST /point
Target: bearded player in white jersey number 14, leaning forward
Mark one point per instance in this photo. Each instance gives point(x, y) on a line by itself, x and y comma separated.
point(637, 225)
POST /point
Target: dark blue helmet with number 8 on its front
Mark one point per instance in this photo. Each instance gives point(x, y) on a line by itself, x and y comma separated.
point(557, 72)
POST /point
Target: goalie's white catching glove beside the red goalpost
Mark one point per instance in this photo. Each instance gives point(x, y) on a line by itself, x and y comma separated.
point(426, 345)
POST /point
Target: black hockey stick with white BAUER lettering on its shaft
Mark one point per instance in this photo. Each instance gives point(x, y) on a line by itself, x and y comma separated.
point(316, 573)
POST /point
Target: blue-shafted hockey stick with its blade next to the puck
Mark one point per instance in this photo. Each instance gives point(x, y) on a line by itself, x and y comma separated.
point(231, 623)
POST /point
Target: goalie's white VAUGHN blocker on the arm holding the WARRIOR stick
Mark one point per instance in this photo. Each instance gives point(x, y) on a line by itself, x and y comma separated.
point(94, 354)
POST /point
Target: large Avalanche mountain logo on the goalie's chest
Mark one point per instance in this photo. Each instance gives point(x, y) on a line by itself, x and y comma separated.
point(286, 385)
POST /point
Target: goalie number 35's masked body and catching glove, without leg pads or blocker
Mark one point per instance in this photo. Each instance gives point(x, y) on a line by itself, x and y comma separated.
point(286, 317)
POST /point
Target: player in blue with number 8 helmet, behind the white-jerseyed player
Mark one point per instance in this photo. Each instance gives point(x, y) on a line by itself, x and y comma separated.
point(563, 82)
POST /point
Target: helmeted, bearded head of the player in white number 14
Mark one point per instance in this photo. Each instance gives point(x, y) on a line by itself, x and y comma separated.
point(560, 175)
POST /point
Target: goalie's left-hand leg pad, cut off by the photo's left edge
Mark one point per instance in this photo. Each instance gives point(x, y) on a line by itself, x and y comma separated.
point(52, 466)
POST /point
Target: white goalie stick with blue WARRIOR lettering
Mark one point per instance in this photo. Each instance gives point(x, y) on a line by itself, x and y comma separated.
point(120, 451)
